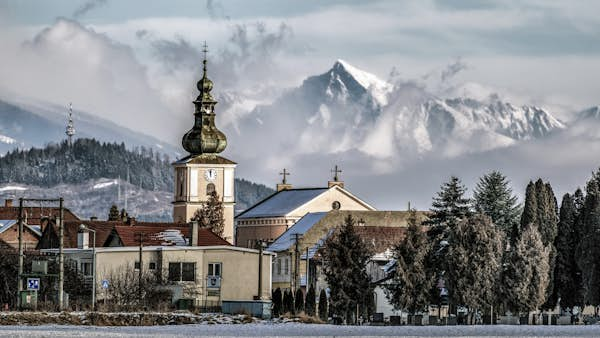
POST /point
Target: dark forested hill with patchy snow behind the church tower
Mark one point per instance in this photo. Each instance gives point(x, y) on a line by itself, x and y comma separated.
point(87, 160)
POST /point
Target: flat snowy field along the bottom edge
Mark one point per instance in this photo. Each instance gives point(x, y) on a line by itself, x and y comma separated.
point(298, 330)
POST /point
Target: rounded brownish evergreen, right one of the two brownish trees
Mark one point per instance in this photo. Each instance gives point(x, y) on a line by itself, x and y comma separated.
point(527, 274)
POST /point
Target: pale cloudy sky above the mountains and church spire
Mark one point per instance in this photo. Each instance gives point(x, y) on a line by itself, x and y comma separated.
point(136, 62)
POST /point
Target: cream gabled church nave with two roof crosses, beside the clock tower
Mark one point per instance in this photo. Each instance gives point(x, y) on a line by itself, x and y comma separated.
point(270, 218)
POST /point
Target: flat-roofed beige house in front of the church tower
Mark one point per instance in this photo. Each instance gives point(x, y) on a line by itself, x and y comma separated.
point(205, 274)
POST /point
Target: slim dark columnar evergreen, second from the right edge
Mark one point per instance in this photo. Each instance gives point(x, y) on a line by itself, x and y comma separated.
point(567, 276)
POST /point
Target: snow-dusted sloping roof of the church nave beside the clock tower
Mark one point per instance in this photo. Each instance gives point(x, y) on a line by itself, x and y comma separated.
point(281, 203)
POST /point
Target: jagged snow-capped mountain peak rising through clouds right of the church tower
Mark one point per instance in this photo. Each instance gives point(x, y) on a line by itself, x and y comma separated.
point(348, 109)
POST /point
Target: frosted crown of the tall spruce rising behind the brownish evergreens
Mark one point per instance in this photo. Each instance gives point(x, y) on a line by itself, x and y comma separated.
point(493, 197)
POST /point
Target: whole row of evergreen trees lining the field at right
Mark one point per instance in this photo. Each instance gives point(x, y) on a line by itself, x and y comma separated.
point(485, 253)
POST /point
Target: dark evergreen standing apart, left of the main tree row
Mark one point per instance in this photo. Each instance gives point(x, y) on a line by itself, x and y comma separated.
point(346, 257)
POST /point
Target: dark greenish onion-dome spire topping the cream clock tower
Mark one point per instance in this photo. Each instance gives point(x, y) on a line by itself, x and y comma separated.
point(204, 137)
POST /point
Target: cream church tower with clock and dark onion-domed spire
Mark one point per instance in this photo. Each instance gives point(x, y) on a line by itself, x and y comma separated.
point(203, 170)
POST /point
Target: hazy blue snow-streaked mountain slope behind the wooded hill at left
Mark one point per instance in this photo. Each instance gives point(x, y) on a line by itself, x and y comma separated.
point(30, 124)
